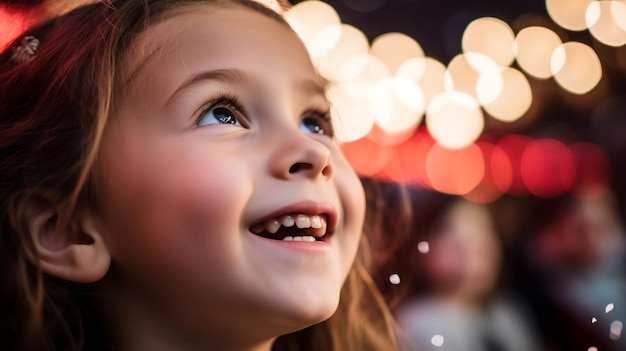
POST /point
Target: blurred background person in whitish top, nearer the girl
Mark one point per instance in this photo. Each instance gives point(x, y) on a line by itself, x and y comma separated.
point(461, 305)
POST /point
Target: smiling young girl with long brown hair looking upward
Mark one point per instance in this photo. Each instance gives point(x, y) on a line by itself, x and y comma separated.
point(169, 180)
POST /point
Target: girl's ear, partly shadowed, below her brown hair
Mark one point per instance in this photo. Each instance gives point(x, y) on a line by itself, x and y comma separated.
point(72, 251)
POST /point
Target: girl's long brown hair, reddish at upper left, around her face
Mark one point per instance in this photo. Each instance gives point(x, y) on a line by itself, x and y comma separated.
point(53, 112)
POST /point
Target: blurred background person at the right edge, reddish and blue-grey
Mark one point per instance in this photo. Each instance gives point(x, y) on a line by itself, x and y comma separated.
point(575, 272)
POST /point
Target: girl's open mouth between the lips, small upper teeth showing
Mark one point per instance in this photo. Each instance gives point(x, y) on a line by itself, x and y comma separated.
point(293, 227)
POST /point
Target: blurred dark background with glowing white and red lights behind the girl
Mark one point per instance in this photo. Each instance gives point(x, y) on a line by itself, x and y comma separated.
point(495, 135)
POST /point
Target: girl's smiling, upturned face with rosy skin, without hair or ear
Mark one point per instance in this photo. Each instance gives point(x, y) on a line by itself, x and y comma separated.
point(222, 143)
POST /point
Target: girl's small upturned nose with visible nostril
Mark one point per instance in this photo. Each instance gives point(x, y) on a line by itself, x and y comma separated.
point(300, 155)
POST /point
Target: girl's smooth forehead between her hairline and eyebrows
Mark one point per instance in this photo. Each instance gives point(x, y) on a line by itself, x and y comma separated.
point(194, 30)
